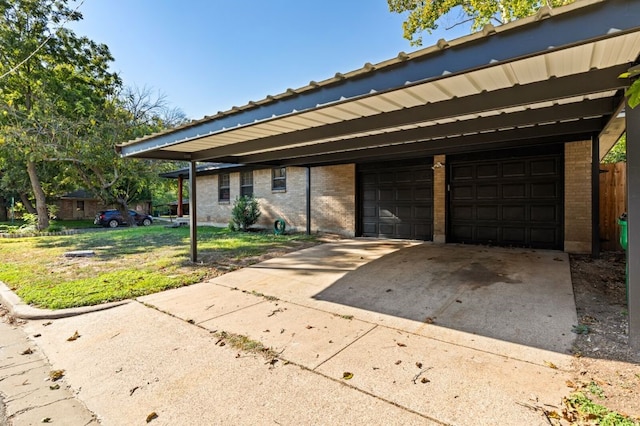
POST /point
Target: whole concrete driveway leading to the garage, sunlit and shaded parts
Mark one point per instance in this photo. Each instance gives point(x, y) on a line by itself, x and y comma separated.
point(428, 334)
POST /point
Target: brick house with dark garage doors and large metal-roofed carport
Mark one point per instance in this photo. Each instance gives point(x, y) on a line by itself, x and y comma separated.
point(493, 138)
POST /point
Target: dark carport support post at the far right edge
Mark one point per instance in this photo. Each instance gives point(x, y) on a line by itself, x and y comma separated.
point(633, 221)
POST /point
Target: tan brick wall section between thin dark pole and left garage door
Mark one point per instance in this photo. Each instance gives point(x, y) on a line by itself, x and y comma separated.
point(333, 207)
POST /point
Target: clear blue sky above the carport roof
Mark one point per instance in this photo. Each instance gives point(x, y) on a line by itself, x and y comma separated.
point(207, 56)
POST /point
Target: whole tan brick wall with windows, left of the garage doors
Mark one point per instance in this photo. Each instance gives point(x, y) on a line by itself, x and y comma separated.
point(333, 199)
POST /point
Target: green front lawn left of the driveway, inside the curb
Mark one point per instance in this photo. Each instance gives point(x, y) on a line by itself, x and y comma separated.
point(129, 262)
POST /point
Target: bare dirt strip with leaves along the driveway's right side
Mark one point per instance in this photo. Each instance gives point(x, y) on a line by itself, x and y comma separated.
point(605, 368)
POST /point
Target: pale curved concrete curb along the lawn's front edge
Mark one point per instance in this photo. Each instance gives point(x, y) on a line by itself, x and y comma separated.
point(21, 310)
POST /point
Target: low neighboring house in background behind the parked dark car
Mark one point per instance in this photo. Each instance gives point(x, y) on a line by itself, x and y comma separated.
point(82, 204)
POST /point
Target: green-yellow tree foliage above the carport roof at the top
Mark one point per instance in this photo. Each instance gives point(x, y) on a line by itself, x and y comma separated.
point(423, 15)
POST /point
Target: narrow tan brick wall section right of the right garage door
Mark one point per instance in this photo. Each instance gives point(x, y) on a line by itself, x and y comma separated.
point(577, 197)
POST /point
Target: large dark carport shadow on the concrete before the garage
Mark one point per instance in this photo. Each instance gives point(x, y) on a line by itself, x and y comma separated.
point(516, 295)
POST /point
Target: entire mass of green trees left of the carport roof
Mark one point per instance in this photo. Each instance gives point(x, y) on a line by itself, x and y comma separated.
point(62, 112)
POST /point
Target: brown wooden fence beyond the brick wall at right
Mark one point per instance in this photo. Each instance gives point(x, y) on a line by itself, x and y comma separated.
point(613, 202)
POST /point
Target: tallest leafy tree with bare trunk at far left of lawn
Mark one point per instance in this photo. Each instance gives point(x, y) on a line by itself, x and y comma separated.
point(52, 85)
